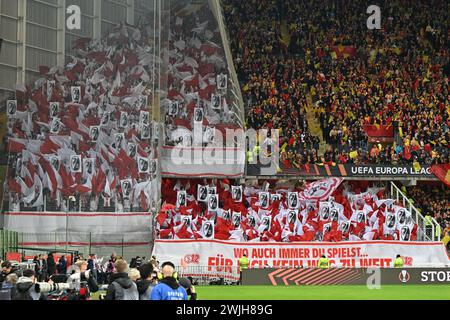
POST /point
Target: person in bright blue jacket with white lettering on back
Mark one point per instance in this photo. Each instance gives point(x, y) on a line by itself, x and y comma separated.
point(168, 288)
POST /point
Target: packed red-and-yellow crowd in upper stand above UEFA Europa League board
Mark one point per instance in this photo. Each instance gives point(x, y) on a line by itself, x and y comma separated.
point(397, 76)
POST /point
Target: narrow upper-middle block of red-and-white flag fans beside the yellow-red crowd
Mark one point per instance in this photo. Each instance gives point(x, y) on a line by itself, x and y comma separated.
point(198, 82)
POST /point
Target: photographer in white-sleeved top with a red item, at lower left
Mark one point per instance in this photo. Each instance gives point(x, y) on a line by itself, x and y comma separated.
point(82, 282)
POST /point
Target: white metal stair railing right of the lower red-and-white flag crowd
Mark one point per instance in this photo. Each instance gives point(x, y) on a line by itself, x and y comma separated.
point(425, 232)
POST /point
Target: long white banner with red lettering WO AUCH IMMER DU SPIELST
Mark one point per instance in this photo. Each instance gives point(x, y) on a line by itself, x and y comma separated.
point(361, 254)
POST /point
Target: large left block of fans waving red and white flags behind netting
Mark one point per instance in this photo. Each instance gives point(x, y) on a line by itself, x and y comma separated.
point(83, 131)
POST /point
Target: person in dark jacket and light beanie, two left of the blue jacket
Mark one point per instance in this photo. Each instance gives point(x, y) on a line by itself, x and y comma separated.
point(121, 287)
